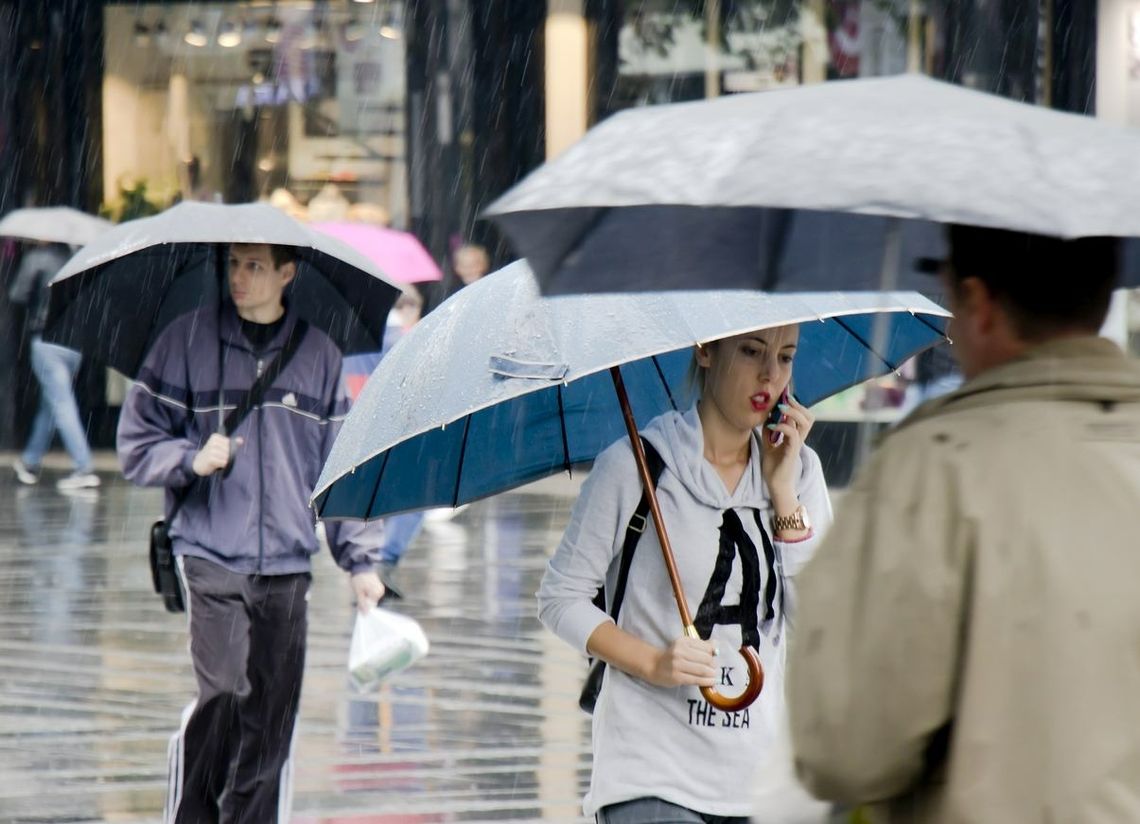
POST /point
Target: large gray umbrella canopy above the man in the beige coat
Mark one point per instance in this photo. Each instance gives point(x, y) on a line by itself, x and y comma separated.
point(838, 185)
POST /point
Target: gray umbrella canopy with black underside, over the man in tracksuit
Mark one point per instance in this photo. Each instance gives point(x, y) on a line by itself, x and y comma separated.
point(112, 299)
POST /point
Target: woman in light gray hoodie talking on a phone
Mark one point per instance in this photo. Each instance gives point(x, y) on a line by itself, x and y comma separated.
point(745, 502)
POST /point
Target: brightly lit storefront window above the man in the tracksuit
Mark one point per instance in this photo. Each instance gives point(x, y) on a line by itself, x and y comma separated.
point(298, 103)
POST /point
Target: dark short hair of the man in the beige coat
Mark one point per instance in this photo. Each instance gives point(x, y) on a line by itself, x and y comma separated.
point(1047, 285)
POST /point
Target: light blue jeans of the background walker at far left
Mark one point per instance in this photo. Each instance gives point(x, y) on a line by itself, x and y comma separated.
point(55, 369)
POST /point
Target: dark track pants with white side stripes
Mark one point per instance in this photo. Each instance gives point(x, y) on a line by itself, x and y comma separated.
point(231, 762)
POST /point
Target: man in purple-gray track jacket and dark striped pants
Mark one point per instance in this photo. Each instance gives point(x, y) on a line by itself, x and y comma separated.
point(245, 535)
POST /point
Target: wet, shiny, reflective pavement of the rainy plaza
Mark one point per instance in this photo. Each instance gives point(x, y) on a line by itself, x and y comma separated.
point(94, 673)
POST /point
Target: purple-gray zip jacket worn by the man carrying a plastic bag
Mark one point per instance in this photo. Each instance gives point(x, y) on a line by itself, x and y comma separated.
point(257, 520)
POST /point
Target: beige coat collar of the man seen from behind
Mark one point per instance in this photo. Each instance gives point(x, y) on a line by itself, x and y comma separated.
point(1076, 369)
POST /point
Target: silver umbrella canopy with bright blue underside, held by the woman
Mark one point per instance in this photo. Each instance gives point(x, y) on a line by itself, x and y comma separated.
point(463, 409)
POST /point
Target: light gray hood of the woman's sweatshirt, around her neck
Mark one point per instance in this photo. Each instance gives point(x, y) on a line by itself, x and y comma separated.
point(680, 439)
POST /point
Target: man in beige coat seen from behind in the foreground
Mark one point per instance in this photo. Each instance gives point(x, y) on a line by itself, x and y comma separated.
point(968, 638)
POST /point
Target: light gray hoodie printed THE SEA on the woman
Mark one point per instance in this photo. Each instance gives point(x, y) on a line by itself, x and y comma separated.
point(662, 743)
